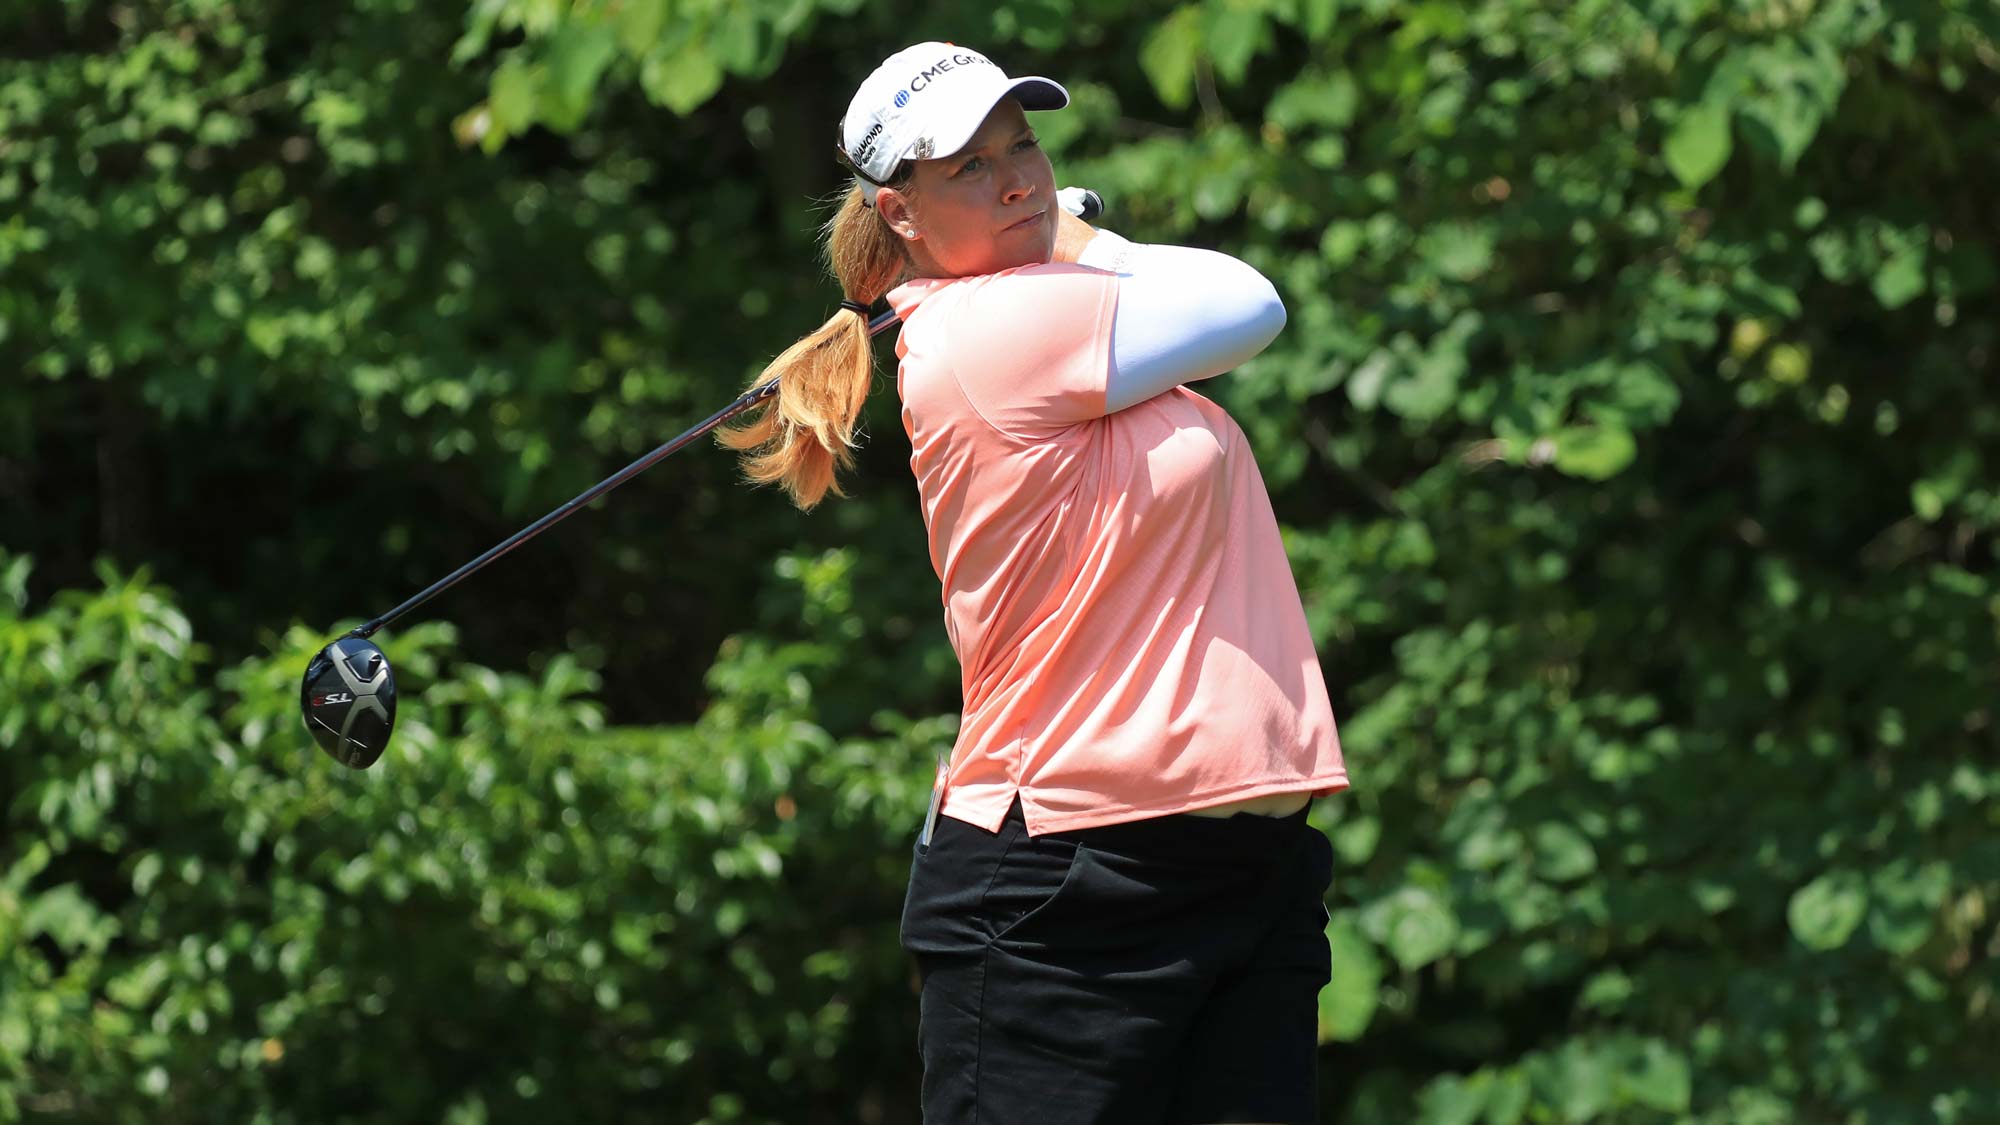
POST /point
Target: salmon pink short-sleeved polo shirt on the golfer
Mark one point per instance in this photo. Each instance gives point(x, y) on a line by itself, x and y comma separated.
point(1127, 624)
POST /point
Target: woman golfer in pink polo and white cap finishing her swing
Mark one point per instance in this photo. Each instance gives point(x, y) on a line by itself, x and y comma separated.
point(1117, 912)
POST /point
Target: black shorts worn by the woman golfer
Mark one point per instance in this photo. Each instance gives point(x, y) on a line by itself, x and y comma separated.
point(1153, 972)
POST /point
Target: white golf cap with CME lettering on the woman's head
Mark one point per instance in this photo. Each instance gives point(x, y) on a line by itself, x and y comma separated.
point(929, 101)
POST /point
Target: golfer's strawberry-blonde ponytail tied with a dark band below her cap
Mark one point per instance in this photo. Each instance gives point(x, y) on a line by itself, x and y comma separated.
point(805, 435)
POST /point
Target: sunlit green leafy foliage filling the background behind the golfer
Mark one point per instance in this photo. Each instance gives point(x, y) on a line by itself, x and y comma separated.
point(1635, 437)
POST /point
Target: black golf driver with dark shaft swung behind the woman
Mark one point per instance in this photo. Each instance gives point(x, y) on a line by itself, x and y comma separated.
point(349, 694)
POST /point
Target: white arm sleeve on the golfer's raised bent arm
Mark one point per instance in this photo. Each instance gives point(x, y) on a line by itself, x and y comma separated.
point(1183, 315)
